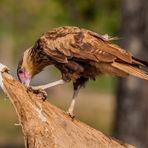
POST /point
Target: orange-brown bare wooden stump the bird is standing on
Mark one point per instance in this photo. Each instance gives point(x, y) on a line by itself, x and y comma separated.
point(45, 126)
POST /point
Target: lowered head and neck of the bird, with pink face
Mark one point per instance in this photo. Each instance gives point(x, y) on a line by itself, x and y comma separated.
point(32, 62)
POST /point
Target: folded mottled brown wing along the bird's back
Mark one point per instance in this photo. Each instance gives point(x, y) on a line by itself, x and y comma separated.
point(65, 43)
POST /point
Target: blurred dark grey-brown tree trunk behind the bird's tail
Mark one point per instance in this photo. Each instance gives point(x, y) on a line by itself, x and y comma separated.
point(131, 119)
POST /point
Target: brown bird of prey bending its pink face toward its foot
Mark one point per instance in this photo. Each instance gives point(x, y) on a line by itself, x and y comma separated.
point(80, 55)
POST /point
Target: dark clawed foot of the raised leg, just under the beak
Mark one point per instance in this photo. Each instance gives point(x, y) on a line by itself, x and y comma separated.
point(40, 92)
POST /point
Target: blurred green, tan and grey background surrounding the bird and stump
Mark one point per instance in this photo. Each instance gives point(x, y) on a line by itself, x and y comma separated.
point(116, 106)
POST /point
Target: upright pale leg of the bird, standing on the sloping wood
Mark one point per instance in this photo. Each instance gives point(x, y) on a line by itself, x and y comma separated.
point(72, 105)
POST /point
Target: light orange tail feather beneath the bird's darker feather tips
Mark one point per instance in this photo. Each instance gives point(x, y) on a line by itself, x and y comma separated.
point(131, 69)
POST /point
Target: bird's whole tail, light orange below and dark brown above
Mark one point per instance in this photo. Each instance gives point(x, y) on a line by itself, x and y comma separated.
point(137, 68)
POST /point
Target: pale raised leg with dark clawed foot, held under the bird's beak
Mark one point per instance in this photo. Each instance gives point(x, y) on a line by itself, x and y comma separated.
point(41, 89)
